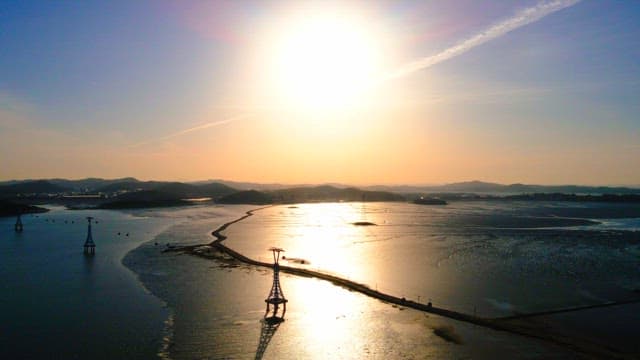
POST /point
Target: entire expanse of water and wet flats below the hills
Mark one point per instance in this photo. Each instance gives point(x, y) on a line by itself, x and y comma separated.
point(493, 259)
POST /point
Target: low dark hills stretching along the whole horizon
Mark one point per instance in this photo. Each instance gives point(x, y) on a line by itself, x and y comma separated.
point(128, 193)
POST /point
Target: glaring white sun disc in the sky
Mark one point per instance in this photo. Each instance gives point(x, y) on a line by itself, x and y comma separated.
point(324, 61)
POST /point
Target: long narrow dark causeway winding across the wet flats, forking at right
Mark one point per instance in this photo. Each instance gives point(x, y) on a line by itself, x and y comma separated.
point(511, 325)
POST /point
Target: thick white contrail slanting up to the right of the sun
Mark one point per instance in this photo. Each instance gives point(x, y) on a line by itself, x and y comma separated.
point(522, 18)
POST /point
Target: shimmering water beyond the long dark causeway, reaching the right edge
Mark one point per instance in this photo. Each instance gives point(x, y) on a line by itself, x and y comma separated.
point(491, 258)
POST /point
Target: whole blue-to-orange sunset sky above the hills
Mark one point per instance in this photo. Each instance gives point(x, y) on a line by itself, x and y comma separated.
point(357, 92)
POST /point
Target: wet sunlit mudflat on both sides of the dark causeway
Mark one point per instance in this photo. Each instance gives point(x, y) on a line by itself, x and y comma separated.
point(424, 254)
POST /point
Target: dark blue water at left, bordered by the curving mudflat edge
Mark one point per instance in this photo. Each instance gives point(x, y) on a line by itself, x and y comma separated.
point(56, 303)
